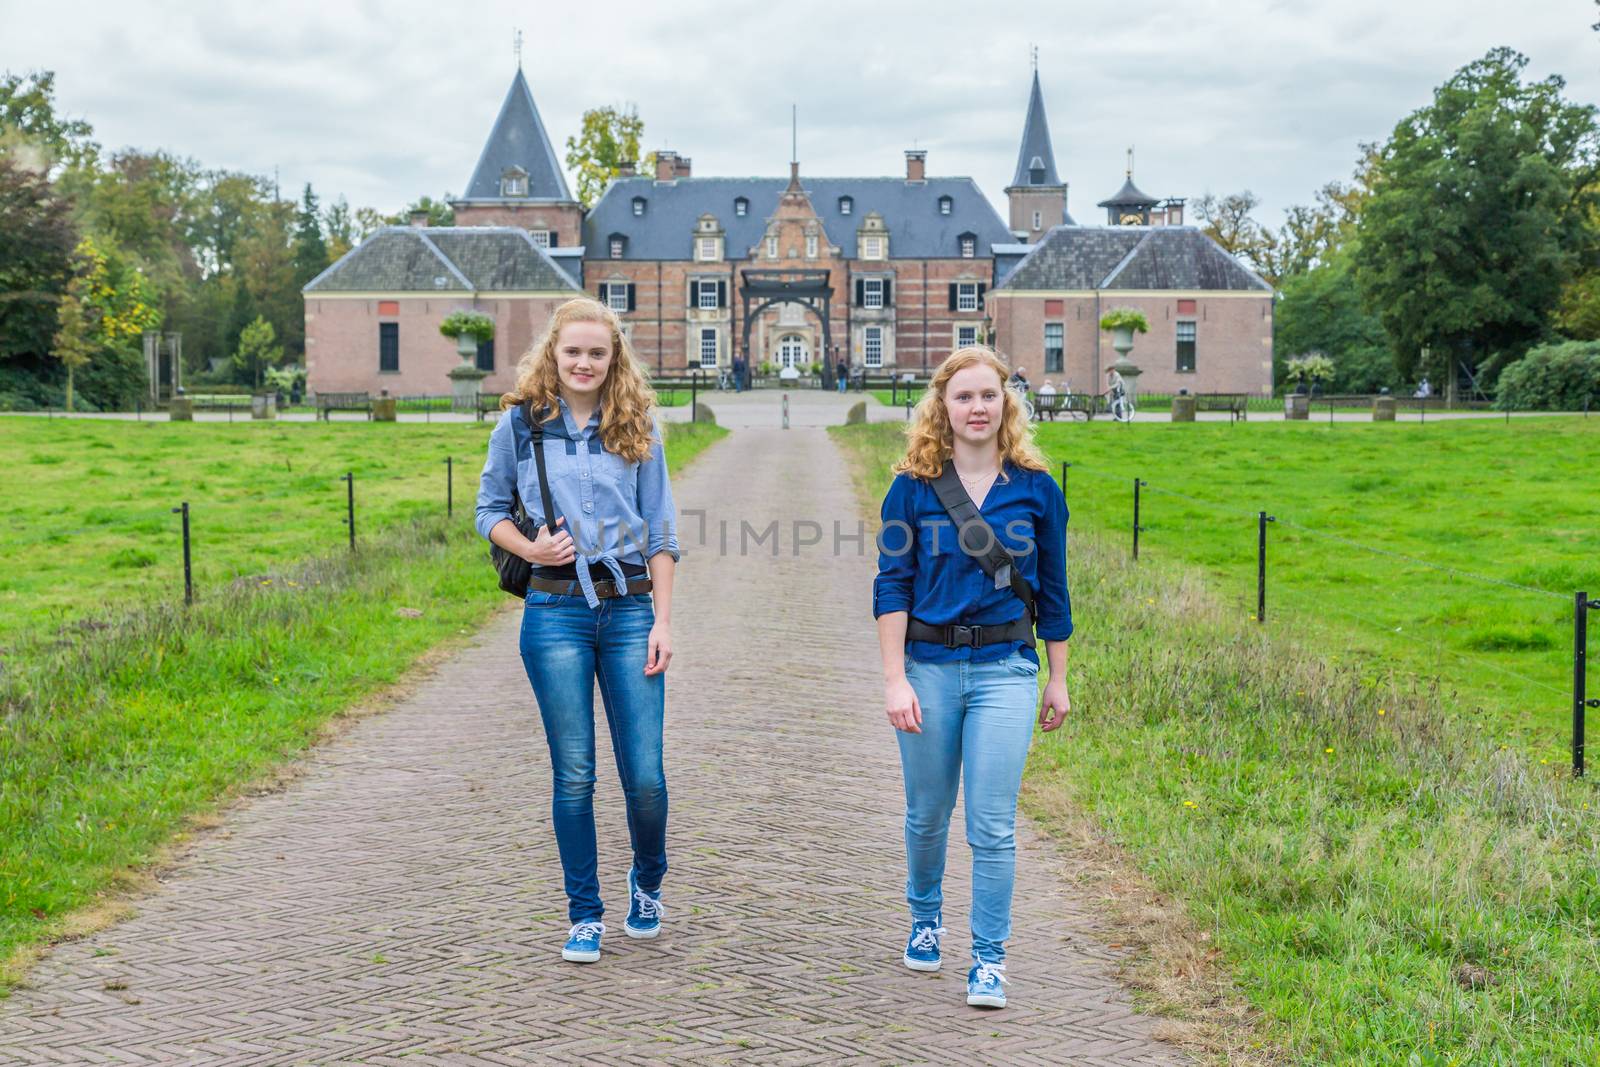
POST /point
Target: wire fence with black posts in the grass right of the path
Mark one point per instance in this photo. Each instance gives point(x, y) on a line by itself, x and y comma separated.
point(1404, 593)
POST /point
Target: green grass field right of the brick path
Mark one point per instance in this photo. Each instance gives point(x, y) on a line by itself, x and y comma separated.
point(1383, 882)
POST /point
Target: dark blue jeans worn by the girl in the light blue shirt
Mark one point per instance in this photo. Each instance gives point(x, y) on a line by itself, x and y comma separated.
point(567, 645)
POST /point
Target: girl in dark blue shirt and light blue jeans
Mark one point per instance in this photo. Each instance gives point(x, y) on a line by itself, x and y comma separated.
point(959, 655)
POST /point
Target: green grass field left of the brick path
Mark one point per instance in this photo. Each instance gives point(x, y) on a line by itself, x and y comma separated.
point(122, 713)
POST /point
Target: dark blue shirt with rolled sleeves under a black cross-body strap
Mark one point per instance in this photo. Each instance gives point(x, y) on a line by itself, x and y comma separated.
point(922, 569)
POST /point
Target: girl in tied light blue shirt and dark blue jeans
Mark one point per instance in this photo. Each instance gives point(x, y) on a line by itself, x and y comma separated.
point(601, 597)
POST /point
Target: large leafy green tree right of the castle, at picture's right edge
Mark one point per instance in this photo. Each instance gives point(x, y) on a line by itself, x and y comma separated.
point(1478, 217)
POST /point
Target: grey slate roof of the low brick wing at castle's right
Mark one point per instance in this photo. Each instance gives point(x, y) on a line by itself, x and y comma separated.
point(1132, 258)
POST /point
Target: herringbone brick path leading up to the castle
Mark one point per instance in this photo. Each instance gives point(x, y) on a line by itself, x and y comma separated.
point(401, 903)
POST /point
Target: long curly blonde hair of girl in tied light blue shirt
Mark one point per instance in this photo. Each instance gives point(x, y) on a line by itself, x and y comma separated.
point(626, 399)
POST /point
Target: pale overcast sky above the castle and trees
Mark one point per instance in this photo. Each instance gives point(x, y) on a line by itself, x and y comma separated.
point(388, 102)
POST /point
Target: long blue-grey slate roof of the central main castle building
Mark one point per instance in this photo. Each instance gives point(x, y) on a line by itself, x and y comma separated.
point(911, 214)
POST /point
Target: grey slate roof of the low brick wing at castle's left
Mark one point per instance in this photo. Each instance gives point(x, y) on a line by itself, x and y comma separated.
point(444, 260)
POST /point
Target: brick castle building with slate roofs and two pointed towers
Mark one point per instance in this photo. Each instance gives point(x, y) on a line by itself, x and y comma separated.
point(887, 274)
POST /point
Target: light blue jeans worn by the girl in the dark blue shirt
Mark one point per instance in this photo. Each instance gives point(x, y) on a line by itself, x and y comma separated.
point(977, 727)
